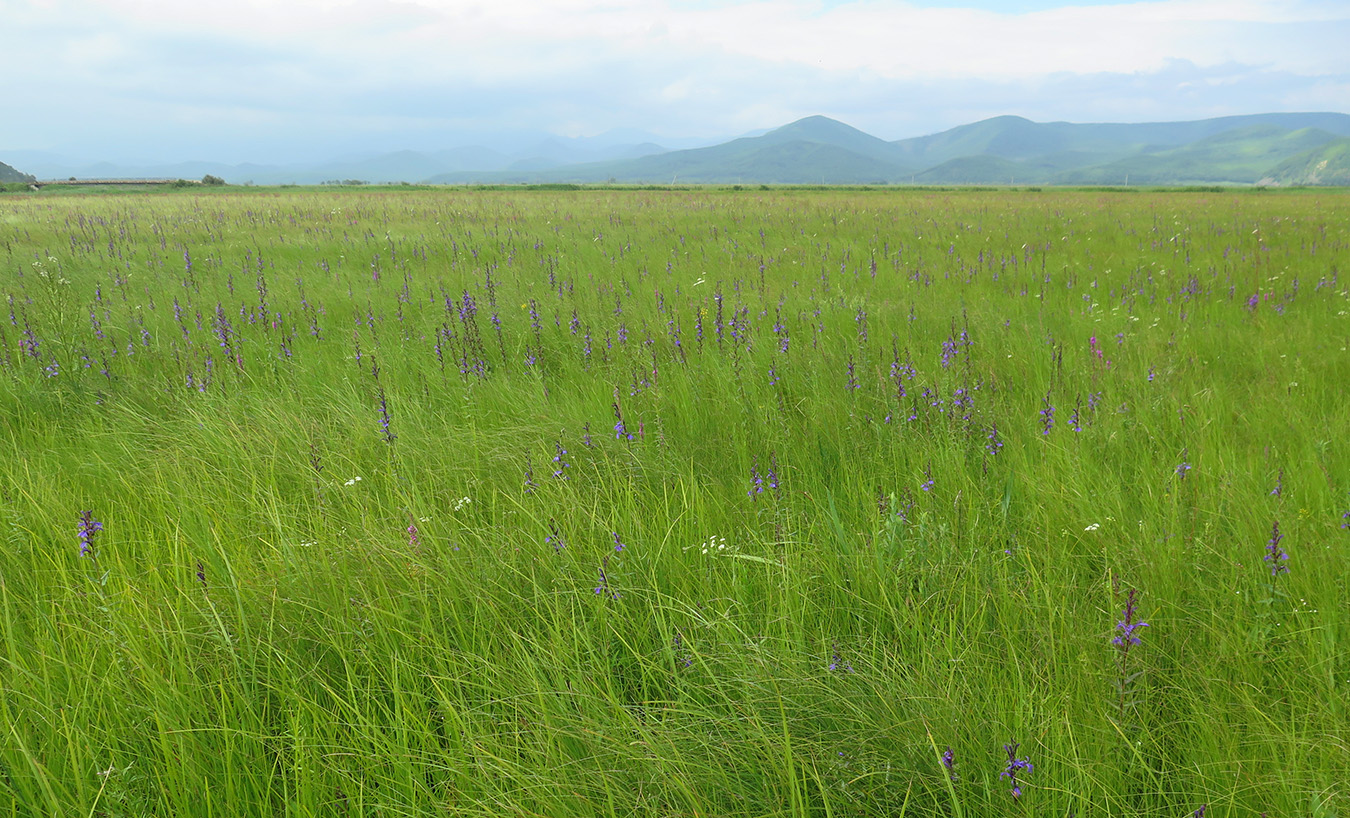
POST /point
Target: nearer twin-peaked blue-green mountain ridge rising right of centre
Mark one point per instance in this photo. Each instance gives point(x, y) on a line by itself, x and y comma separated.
point(1005, 151)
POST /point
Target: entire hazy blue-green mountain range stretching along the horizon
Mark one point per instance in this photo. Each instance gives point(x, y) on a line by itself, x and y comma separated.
point(1264, 149)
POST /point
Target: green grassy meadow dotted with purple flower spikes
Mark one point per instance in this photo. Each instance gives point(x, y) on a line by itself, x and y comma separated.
point(685, 503)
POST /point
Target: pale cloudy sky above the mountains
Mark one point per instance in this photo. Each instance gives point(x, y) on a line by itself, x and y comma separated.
point(290, 80)
